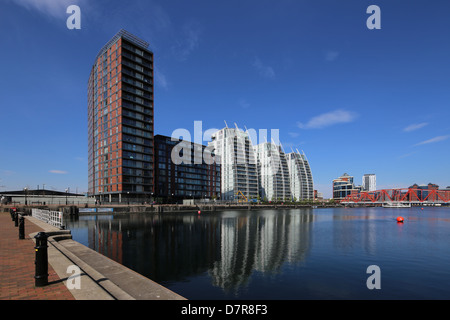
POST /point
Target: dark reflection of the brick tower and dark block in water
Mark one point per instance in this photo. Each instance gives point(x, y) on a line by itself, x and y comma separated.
point(161, 248)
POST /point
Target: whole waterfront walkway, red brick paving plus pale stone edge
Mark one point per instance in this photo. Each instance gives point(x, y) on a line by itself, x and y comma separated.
point(100, 278)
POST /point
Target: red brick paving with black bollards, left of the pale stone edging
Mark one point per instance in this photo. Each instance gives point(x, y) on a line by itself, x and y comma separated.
point(17, 267)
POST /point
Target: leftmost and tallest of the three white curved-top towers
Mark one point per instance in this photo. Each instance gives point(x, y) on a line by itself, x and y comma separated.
point(238, 164)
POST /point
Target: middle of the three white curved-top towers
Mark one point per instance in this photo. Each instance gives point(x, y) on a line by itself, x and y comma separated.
point(273, 172)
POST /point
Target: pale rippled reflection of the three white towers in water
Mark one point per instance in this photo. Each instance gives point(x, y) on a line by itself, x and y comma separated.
point(262, 242)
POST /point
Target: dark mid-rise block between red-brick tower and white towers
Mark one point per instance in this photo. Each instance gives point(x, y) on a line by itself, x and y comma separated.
point(181, 171)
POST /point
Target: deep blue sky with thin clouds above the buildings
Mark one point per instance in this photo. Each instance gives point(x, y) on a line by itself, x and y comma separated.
point(354, 100)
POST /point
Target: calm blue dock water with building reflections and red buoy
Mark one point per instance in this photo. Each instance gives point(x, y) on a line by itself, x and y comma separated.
point(281, 254)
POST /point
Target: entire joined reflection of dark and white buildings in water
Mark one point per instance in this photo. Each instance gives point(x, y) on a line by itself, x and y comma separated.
point(229, 246)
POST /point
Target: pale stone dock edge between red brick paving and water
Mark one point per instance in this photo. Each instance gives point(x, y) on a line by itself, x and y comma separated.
point(101, 278)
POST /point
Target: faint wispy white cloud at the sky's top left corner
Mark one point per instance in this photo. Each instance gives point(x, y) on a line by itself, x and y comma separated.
point(54, 8)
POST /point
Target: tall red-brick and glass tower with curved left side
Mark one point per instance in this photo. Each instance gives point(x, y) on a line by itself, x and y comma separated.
point(120, 121)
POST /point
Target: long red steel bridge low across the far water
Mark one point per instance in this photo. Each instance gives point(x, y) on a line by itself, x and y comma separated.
point(402, 195)
